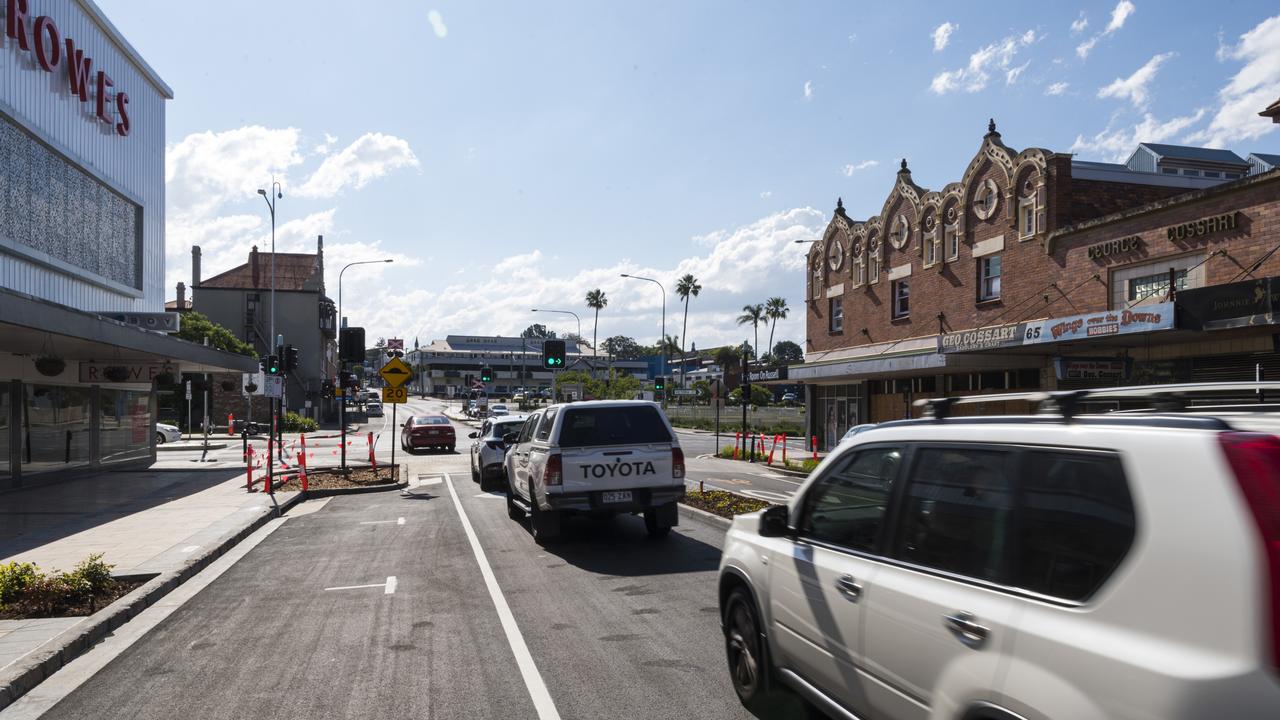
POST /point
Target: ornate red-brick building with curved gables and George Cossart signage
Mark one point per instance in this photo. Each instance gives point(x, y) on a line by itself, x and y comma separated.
point(1039, 271)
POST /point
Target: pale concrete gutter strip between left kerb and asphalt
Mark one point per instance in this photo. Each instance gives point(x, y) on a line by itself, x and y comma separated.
point(61, 685)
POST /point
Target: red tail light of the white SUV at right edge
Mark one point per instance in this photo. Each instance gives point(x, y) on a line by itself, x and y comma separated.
point(1255, 459)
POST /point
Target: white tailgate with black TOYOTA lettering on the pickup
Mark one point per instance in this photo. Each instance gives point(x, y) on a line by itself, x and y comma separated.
point(618, 467)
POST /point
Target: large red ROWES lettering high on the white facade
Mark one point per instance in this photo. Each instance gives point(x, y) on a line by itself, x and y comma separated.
point(54, 54)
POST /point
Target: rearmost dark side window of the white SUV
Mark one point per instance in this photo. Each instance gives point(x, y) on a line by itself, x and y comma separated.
point(1076, 523)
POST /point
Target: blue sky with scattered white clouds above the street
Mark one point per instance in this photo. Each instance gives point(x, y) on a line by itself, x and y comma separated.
point(515, 156)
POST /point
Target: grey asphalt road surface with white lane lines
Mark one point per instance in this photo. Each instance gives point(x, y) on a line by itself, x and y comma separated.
point(310, 625)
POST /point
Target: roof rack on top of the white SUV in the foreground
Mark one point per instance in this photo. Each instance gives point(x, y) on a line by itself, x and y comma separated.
point(1164, 399)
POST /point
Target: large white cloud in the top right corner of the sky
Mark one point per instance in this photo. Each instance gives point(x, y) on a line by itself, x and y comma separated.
point(1255, 86)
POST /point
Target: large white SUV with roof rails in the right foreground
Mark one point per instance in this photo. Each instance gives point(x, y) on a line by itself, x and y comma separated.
point(1107, 567)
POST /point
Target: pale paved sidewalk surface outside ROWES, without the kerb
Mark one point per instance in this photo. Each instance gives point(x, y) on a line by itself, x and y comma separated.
point(144, 522)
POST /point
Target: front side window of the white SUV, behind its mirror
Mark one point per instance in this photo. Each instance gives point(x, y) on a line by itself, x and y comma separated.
point(847, 508)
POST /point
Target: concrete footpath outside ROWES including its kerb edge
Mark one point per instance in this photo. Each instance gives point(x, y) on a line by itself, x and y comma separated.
point(162, 523)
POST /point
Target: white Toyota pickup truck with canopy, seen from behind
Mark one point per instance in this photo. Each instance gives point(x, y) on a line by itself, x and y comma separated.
point(600, 458)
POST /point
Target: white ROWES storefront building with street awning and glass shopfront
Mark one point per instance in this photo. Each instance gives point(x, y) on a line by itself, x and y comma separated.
point(83, 323)
